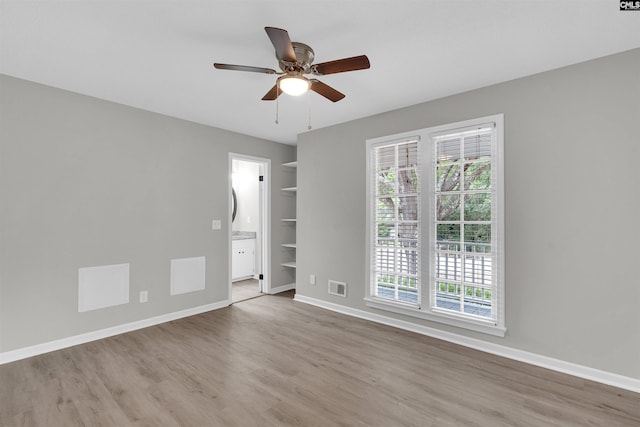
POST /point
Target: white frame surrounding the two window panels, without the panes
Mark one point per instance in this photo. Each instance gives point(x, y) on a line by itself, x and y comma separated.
point(426, 309)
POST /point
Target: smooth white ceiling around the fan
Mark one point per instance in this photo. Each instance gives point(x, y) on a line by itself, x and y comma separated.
point(158, 55)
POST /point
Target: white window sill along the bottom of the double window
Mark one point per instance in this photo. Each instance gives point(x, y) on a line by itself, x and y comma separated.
point(413, 311)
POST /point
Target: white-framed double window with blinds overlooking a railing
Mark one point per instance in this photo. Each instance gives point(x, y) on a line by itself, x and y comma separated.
point(435, 224)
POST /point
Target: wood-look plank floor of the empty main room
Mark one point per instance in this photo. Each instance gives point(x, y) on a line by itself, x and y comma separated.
point(271, 361)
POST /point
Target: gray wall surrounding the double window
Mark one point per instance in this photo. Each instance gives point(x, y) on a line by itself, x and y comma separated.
point(572, 203)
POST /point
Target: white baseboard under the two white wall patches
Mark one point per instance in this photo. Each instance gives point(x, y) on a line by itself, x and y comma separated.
point(34, 350)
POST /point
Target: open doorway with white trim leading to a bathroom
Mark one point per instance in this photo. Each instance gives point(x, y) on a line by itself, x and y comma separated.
point(249, 234)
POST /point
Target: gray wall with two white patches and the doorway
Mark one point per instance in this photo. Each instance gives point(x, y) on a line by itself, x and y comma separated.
point(85, 182)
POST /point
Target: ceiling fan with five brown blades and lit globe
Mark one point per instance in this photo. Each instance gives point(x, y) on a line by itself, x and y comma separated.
point(295, 60)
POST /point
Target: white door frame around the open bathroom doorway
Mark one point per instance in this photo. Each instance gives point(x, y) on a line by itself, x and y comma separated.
point(264, 221)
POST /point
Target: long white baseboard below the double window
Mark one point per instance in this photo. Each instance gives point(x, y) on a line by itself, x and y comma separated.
point(616, 380)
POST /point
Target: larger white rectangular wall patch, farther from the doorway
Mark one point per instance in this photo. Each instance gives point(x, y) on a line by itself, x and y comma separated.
point(103, 286)
